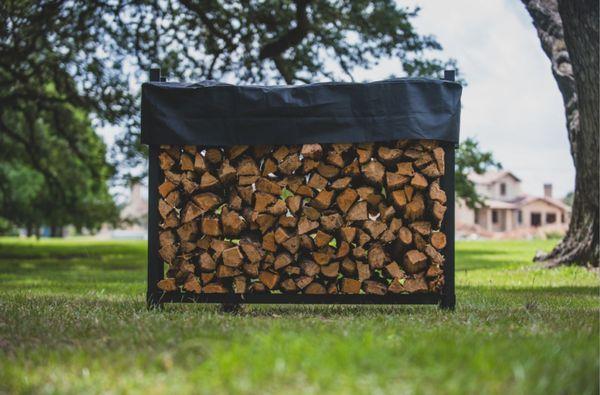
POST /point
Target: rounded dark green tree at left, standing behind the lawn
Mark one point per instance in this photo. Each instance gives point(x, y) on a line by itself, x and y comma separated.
point(54, 182)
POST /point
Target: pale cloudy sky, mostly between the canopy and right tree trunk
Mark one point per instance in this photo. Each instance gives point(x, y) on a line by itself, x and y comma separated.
point(511, 103)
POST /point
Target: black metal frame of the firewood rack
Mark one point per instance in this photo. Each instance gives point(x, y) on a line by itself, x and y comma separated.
point(156, 298)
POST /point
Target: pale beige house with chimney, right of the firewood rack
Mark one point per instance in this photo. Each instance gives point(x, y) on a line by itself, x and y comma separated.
point(507, 209)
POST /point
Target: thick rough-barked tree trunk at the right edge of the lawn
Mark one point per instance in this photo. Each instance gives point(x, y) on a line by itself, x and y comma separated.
point(568, 31)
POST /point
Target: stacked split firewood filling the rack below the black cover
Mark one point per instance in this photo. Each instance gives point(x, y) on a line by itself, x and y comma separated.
point(313, 219)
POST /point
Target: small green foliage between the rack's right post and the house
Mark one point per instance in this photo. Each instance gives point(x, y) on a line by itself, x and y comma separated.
point(471, 159)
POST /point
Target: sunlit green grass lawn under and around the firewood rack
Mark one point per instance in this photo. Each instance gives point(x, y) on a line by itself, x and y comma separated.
point(73, 320)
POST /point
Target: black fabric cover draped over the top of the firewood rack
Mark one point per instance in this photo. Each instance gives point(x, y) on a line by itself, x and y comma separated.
point(210, 113)
